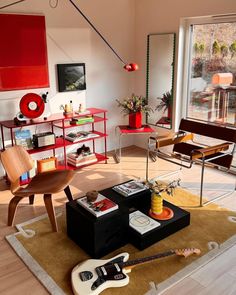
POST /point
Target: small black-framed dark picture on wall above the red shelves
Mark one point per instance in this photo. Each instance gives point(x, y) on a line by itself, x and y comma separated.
point(71, 77)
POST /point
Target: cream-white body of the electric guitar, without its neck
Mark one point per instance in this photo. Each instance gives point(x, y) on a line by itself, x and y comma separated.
point(93, 276)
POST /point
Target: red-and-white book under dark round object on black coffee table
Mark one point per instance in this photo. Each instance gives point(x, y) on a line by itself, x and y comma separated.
point(100, 207)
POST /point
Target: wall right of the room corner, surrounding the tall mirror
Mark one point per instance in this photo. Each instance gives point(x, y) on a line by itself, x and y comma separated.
point(156, 16)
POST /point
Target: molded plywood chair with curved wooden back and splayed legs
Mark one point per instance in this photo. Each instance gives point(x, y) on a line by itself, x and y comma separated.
point(16, 161)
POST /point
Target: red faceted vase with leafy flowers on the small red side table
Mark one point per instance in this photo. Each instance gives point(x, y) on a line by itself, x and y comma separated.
point(134, 106)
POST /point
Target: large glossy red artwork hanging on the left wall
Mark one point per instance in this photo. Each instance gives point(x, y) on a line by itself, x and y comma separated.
point(23, 52)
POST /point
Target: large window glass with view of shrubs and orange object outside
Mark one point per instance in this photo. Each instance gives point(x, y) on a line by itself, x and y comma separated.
point(211, 85)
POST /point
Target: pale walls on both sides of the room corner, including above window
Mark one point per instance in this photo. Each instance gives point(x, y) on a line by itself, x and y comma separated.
point(125, 24)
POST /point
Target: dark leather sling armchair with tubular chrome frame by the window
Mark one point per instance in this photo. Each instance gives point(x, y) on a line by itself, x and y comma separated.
point(186, 151)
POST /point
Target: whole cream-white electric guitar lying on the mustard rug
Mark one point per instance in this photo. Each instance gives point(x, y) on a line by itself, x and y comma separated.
point(93, 276)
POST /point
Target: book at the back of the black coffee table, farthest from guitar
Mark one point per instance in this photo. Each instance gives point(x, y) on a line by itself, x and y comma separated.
point(129, 188)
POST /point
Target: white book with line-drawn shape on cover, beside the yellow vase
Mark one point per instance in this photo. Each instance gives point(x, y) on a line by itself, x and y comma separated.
point(141, 222)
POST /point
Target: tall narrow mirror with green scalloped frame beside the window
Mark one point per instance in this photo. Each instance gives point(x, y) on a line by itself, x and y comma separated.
point(160, 78)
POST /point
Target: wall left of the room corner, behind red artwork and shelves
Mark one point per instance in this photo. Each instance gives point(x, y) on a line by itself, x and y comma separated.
point(71, 39)
